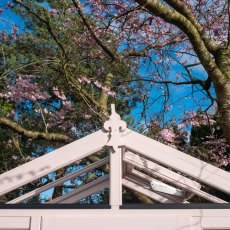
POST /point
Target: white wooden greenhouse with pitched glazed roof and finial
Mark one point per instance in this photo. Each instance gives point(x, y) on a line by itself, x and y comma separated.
point(167, 176)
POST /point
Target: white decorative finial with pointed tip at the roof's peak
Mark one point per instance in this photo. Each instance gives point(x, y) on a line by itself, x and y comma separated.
point(114, 126)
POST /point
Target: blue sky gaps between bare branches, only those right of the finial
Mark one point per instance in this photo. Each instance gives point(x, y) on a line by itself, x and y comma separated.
point(181, 97)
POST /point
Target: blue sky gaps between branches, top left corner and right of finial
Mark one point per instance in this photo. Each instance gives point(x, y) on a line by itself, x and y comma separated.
point(8, 18)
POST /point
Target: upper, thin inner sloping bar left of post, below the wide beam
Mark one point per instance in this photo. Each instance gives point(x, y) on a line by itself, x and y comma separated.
point(59, 181)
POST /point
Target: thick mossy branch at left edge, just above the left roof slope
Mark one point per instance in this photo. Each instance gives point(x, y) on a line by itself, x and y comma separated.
point(33, 134)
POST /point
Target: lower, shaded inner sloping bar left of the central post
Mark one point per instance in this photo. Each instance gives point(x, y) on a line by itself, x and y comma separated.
point(83, 191)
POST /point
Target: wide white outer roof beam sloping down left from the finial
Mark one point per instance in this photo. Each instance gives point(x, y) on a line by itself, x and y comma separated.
point(51, 162)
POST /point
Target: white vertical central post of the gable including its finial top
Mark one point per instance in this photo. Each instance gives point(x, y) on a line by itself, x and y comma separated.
point(115, 126)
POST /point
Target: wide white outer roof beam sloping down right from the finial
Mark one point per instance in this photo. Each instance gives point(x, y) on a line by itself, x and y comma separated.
point(177, 160)
